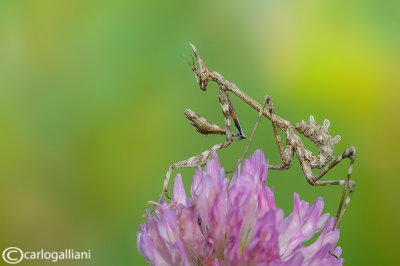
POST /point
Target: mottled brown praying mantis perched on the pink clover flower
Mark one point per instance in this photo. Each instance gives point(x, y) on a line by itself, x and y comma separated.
point(318, 134)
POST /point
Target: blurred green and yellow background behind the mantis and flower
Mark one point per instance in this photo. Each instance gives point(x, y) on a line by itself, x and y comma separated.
point(92, 96)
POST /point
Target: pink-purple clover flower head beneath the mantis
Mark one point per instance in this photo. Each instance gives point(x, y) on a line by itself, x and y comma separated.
point(236, 223)
